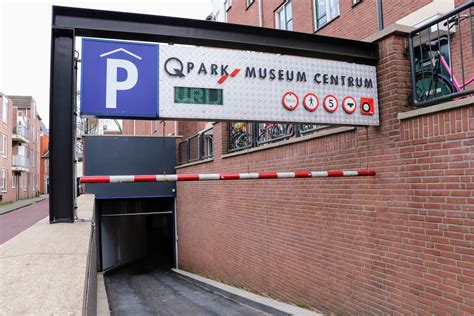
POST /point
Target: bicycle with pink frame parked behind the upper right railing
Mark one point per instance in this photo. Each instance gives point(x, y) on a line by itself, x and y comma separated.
point(433, 83)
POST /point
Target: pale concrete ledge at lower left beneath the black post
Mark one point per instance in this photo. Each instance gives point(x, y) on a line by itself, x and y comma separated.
point(44, 269)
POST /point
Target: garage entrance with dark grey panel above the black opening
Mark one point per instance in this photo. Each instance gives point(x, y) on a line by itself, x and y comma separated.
point(135, 222)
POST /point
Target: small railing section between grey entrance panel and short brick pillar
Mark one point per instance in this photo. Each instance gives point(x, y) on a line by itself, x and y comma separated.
point(197, 147)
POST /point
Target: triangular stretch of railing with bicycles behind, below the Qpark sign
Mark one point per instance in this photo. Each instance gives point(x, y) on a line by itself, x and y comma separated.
point(246, 135)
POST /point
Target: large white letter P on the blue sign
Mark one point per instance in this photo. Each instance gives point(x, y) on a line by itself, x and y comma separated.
point(112, 83)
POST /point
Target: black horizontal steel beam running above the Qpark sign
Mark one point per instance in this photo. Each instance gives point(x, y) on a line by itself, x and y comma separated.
point(142, 27)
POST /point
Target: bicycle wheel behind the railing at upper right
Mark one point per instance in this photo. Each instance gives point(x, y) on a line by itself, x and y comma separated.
point(429, 86)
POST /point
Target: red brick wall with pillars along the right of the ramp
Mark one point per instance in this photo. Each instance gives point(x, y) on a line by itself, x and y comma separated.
point(397, 243)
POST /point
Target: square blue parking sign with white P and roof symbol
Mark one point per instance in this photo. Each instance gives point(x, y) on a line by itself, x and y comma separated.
point(119, 79)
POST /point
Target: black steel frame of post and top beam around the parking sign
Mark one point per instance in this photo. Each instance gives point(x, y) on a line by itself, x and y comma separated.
point(68, 22)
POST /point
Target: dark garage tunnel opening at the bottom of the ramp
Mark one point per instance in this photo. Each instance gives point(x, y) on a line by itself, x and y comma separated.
point(135, 231)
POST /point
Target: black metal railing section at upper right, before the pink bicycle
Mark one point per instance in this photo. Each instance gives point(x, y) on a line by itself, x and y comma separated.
point(441, 57)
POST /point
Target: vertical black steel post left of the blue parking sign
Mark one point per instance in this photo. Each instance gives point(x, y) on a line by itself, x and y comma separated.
point(62, 133)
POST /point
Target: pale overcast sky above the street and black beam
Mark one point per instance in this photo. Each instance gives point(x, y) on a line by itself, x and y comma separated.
point(25, 27)
